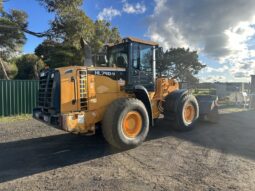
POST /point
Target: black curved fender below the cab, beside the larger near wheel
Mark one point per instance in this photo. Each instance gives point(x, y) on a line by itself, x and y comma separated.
point(142, 94)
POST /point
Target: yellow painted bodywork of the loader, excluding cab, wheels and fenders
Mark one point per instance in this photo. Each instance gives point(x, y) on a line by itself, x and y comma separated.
point(100, 91)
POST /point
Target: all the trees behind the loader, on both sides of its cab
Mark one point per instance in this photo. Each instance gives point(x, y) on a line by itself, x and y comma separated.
point(61, 44)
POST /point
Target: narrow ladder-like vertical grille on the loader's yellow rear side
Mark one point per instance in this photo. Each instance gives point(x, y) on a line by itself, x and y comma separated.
point(83, 90)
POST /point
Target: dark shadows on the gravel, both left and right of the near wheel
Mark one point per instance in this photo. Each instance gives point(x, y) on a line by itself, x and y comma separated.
point(235, 134)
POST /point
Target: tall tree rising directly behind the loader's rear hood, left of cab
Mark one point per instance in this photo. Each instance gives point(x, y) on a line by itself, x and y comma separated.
point(62, 47)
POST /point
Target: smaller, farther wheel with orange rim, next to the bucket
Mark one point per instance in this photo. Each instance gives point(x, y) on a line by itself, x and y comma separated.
point(186, 113)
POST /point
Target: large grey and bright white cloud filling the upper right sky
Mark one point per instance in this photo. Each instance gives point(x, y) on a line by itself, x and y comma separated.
point(221, 30)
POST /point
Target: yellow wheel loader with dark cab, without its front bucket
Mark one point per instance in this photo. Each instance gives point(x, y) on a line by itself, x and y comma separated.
point(123, 96)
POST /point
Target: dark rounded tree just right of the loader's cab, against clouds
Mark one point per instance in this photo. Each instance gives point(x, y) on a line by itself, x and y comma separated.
point(180, 63)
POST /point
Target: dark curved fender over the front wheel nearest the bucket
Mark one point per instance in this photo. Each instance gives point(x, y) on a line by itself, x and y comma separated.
point(174, 99)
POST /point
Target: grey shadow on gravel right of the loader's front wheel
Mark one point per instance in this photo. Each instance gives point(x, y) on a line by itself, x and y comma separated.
point(234, 134)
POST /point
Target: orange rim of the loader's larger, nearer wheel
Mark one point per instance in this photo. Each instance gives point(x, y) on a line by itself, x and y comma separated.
point(132, 124)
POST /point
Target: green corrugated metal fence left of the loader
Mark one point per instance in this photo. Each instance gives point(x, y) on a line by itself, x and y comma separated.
point(17, 96)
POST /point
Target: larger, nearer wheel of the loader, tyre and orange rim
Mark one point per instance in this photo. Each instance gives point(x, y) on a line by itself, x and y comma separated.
point(126, 123)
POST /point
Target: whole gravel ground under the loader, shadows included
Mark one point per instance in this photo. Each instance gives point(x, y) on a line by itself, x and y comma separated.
point(221, 156)
